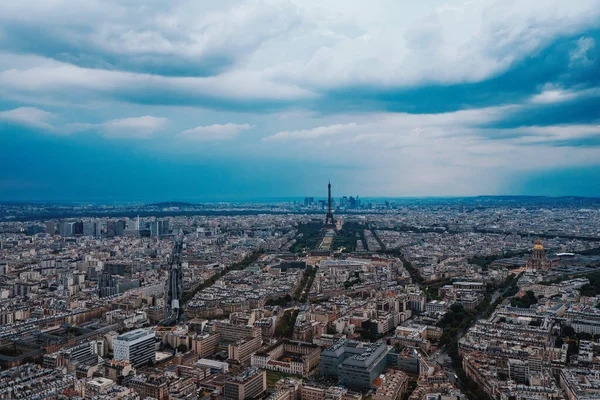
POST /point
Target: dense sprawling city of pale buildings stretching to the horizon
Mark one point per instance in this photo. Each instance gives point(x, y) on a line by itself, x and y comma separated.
point(340, 298)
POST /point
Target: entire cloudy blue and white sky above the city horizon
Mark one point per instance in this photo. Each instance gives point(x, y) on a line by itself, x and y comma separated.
point(208, 100)
